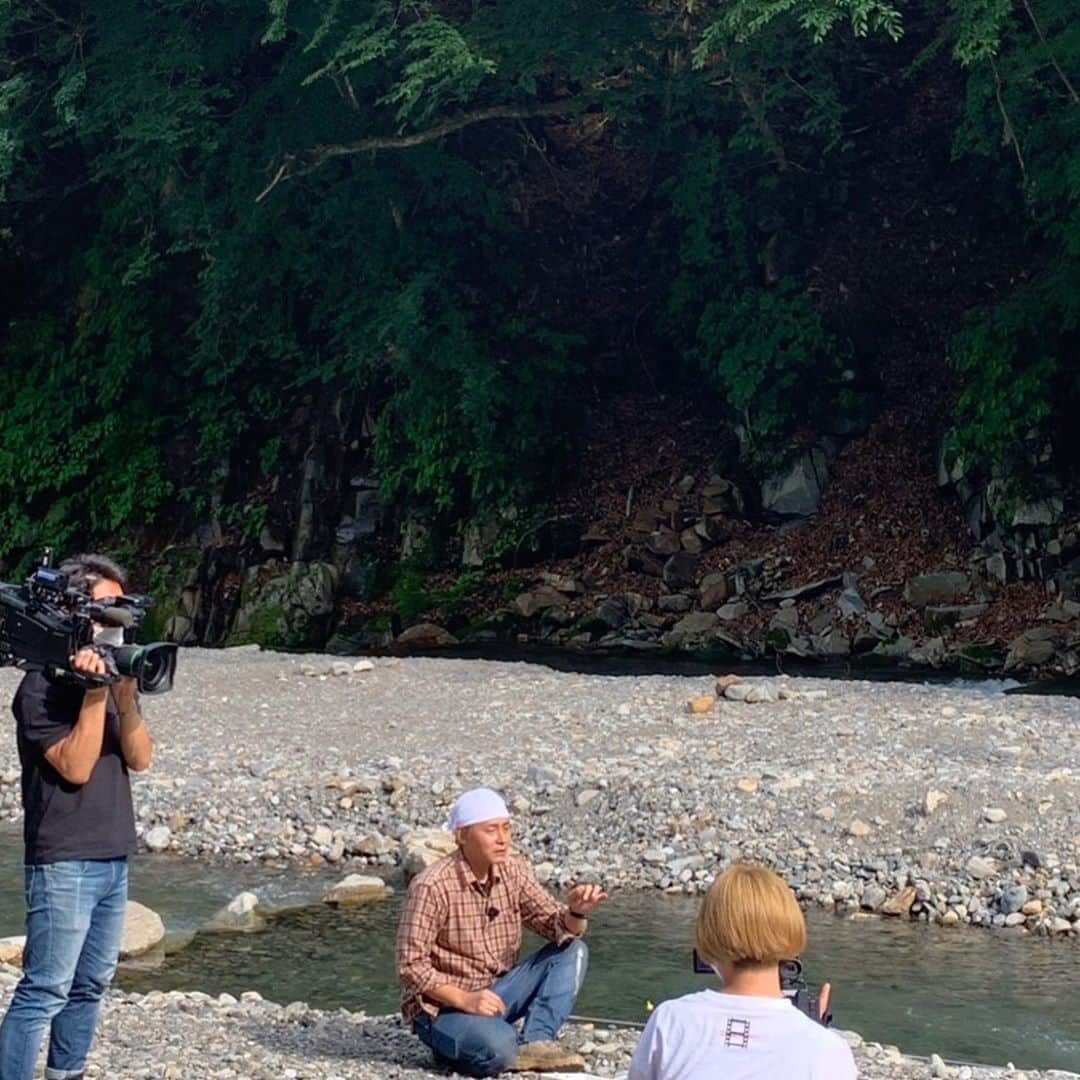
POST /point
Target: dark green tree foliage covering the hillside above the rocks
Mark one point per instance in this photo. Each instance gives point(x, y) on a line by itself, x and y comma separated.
point(226, 224)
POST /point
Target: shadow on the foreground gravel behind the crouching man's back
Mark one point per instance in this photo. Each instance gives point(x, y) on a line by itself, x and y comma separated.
point(340, 1037)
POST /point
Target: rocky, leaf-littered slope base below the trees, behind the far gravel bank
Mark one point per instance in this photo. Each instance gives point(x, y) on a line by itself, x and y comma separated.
point(839, 558)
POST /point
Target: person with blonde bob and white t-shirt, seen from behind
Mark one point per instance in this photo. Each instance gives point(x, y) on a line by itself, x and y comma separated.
point(749, 923)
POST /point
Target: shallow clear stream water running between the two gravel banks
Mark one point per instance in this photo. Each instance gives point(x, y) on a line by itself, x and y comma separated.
point(970, 995)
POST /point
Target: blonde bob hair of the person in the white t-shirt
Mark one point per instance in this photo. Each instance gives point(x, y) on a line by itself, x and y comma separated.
point(750, 919)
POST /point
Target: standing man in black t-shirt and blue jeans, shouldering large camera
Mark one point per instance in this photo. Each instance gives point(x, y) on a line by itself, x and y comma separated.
point(76, 747)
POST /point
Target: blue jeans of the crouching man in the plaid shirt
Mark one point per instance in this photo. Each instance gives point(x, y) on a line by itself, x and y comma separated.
point(542, 989)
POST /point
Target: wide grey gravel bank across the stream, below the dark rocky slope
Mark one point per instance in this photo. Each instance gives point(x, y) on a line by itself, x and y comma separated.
point(955, 805)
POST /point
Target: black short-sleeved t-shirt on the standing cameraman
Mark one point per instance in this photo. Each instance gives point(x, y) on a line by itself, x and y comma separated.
point(62, 820)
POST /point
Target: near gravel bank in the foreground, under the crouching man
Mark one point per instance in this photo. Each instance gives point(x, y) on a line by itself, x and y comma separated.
point(195, 1037)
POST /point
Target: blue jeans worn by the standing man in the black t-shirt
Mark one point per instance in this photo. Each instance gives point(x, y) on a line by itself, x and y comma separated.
point(75, 916)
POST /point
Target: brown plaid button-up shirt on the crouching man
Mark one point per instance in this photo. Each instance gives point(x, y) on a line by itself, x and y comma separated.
point(456, 933)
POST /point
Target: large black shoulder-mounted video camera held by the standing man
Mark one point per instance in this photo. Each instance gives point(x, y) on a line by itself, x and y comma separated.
point(45, 623)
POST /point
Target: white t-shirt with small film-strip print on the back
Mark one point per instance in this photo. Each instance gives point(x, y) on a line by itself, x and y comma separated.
point(713, 1036)
